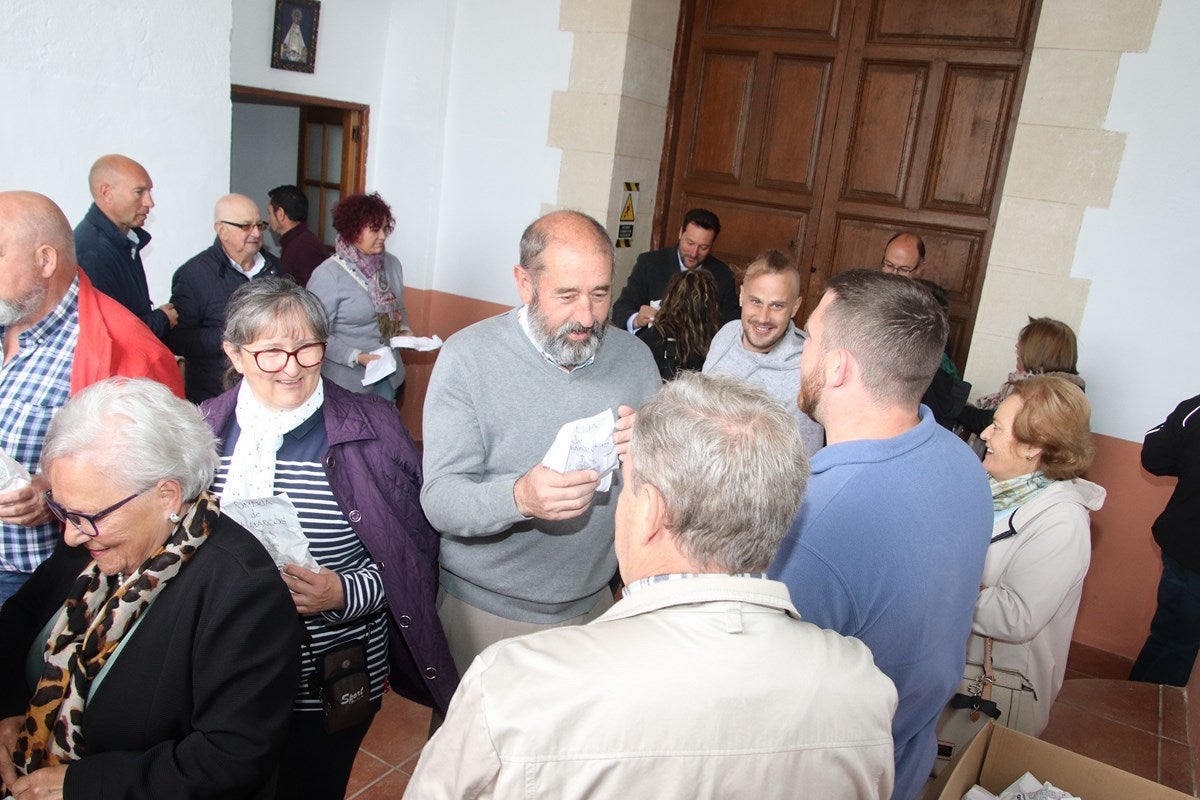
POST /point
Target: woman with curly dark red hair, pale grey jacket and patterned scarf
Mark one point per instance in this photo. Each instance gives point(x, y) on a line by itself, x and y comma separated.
point(363, 290)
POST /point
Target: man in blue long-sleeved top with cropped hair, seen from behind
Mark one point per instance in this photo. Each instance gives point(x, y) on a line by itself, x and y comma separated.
point(890, 544)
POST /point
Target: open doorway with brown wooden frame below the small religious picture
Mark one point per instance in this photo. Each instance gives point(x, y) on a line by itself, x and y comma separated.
point(315, 143)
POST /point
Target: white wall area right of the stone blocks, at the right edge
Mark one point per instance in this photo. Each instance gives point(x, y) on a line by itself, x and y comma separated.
point(1139, 339)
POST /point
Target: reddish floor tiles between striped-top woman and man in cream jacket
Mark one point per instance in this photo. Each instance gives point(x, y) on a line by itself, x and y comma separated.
point(389, 754)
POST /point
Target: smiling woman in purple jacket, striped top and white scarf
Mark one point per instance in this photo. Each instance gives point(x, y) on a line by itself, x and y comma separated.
point(351, 479)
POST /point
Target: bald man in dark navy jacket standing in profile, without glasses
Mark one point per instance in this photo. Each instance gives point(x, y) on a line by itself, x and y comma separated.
point(110, 239)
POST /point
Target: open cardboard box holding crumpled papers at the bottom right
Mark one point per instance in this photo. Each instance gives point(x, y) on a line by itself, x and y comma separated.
point(1000, 756)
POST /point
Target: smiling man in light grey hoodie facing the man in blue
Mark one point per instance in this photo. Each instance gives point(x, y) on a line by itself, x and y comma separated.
point(765, 346)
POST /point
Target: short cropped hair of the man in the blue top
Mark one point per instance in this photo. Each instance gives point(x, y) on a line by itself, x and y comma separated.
point(893, 327)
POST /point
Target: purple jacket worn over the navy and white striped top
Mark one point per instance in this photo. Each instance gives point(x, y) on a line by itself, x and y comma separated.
point(375, 473)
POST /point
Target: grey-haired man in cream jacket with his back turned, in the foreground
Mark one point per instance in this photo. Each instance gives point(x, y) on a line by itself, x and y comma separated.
point(703, 682)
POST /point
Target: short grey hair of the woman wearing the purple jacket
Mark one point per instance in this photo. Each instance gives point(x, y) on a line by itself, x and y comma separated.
point(266, 303)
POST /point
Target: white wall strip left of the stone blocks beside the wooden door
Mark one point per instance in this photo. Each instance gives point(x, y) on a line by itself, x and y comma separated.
point(507, 61)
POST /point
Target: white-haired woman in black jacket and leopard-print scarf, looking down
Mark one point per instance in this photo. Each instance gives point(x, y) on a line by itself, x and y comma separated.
point(157, 655)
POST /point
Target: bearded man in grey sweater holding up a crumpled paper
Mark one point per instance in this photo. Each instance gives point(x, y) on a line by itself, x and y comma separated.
point(525, 548)
